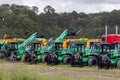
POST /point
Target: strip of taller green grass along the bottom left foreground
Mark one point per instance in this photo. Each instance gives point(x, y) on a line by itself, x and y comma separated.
point(31, 75)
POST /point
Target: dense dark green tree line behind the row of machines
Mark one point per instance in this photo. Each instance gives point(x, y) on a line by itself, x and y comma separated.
point(22, 21)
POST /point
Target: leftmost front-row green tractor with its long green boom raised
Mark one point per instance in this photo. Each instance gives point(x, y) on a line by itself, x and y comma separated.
point(14, 50)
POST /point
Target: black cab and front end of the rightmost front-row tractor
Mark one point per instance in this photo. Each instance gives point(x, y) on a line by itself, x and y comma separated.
point(104, 58)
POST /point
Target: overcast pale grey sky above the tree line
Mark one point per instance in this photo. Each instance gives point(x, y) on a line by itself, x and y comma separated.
point(88, 6)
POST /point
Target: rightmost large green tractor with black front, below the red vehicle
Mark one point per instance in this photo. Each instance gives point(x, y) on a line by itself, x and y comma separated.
point(107, 56)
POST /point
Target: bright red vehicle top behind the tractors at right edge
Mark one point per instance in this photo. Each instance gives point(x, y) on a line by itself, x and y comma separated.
point(111, 38)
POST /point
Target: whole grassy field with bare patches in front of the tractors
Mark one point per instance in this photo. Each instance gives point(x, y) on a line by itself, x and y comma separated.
point(24, 71)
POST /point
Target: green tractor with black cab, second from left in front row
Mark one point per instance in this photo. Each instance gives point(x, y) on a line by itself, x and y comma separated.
point(33, 52)
